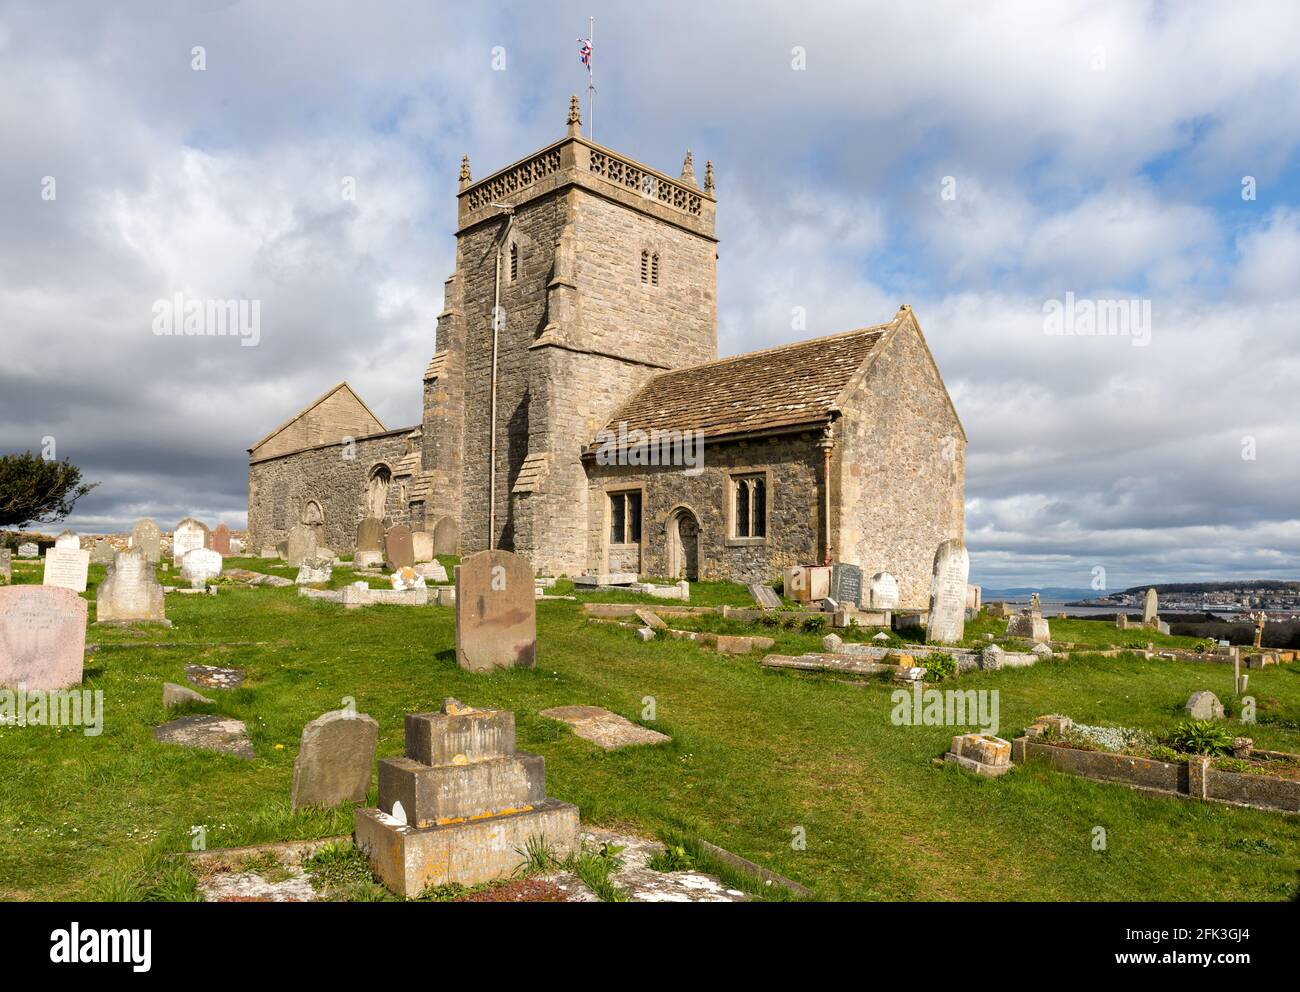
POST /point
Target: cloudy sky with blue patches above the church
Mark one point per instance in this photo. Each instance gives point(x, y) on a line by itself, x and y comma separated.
point(974, 161)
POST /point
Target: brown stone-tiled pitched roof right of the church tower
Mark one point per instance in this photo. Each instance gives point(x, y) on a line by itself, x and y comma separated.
point(761, 391)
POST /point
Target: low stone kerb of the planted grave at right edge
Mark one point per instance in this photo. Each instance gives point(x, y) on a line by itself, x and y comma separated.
point(1198, 778)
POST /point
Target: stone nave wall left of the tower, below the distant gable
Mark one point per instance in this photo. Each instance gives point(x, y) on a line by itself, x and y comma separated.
point(280, 489)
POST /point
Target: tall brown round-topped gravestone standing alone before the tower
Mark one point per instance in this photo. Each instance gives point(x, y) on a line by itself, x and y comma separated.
point(496, 613)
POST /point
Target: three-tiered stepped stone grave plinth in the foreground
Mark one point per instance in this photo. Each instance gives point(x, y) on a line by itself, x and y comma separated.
point(461, 805)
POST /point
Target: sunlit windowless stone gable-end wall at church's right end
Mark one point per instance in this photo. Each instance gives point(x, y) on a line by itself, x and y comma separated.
point(900, 469)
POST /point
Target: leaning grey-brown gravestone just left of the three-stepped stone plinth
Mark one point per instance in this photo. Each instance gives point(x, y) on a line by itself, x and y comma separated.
point(335, 760)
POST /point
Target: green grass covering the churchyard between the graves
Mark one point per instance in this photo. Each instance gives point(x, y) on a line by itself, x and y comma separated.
point(756, 755)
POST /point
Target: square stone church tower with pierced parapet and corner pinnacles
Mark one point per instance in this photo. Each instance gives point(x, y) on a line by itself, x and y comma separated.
point(605, 274)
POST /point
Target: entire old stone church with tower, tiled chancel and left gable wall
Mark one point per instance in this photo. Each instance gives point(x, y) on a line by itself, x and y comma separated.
point(577, 411)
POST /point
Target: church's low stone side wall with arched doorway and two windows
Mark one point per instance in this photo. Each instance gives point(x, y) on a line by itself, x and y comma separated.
point(794, 465)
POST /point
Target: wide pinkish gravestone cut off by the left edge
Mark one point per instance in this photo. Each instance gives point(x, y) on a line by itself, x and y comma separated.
point(42, 638)
